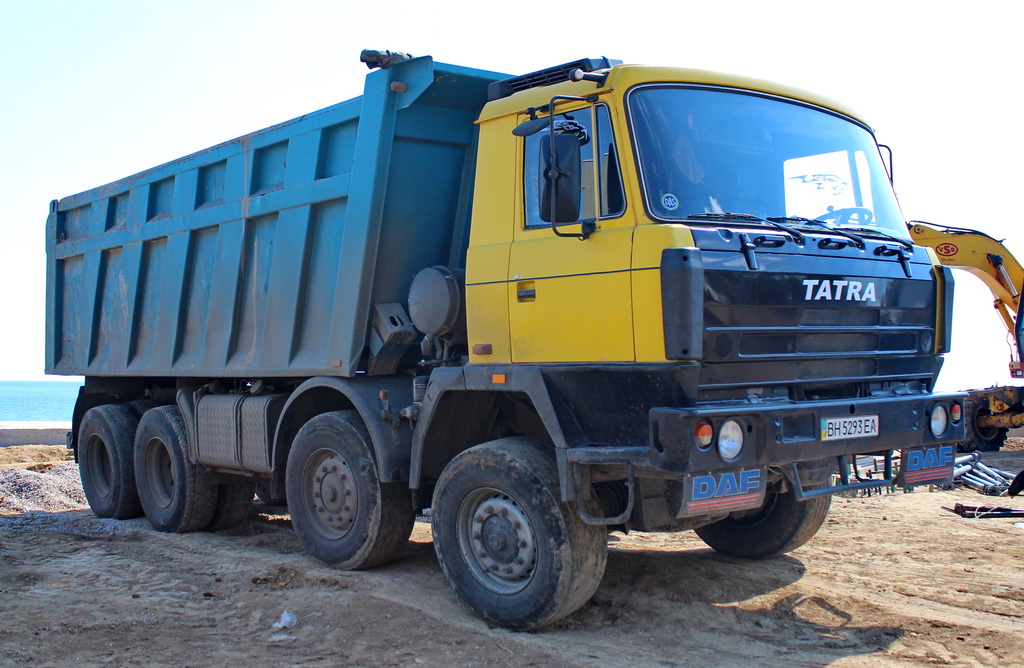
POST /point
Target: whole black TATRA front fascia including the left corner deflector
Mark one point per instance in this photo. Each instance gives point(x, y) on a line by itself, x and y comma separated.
point(798, 322)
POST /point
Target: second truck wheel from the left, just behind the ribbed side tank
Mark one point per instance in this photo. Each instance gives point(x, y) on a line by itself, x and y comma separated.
point(175, 499)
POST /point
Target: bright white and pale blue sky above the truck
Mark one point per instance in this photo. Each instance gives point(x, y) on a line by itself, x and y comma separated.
point(95, 92)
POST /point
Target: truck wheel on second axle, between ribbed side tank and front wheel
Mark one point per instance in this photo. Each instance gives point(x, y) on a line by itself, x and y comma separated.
point(342, 512)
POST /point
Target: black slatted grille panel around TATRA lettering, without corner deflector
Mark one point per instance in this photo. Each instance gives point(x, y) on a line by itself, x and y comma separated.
point(754, 337)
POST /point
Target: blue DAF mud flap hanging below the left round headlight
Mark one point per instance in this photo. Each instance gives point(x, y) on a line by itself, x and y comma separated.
point(719, 492)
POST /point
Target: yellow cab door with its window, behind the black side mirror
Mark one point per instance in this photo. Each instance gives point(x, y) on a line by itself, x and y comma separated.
point(570, 300)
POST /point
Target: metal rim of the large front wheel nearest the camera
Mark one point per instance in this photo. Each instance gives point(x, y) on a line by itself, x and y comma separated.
point(497, 541)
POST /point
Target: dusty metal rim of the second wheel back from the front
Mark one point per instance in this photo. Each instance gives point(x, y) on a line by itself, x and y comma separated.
point(329, 490)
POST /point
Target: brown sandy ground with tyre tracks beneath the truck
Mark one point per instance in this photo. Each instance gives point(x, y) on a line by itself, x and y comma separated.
point(890, 580)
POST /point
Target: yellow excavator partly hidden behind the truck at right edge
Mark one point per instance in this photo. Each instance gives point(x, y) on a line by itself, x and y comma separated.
point(990, 412)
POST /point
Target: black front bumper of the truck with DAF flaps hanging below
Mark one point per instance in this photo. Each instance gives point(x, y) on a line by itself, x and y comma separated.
point(785, 437)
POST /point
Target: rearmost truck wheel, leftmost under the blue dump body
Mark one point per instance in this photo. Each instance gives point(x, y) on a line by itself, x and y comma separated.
point(106, 462)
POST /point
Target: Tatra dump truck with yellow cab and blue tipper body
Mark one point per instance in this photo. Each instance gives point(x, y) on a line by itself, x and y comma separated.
point(595, 298)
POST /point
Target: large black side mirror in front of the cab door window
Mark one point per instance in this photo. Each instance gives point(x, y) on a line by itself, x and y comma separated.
point(562, 179)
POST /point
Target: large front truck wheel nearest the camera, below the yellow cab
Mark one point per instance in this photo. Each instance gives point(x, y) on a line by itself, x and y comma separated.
point(513, 551)
